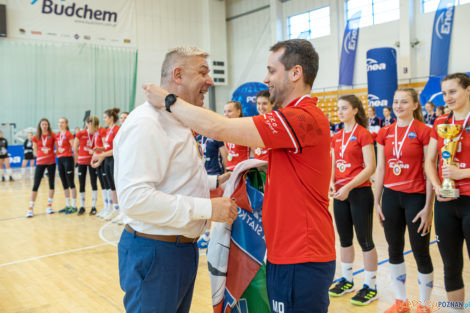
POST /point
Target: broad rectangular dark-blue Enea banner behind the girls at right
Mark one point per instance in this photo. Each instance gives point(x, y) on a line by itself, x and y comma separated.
point(381, 78)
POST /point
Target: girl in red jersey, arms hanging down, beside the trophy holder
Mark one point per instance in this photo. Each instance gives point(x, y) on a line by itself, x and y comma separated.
point(406, 195)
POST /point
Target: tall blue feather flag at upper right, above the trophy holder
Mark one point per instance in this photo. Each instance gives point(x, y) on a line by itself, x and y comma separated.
point(442, 32)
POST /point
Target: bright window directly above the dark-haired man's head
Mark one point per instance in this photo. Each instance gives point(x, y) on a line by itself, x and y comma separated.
point(309, 25)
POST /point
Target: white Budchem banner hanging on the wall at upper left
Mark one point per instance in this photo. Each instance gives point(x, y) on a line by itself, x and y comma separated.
point(106, 22)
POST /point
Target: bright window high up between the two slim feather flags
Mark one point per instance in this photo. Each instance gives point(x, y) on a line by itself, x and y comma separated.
point(374, 11)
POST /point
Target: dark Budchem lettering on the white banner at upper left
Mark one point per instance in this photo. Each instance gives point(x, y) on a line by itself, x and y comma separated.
point(73, 10)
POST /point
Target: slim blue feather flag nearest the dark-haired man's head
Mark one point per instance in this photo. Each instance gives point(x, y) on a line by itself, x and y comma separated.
point(348, 51)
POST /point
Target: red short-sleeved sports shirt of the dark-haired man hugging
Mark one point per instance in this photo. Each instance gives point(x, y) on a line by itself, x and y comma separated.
point(297, 224)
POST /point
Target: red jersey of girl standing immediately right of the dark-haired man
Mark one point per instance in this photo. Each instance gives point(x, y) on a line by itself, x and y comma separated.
point(353, 161)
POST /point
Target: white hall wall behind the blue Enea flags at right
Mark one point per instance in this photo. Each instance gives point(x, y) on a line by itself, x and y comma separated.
point(249, 39)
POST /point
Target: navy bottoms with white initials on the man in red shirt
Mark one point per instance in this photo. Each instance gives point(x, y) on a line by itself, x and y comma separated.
point(299, 288)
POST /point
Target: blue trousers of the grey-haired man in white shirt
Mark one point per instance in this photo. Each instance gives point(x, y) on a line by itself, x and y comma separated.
point(157, 276)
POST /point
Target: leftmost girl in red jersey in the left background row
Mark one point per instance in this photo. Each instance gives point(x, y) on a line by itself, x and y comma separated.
point(43, 147)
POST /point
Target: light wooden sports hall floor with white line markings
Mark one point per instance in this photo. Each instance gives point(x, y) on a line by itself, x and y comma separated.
point(68, 263)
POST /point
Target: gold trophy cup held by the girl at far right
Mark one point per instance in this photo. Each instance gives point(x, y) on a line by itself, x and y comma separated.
point(449, 132)
